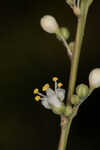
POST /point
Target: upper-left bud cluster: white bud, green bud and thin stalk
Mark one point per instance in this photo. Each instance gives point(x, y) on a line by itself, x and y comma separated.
point(50, 25)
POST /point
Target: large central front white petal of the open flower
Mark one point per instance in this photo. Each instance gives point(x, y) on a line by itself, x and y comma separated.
point(53, 100)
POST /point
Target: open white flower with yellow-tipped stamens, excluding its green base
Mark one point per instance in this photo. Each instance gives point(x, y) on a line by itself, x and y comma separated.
point(53, 97)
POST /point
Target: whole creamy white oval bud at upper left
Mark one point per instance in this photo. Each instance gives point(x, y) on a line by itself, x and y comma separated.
point(49, 24)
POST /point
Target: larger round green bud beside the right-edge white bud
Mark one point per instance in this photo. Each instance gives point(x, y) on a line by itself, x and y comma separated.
point(82, 90)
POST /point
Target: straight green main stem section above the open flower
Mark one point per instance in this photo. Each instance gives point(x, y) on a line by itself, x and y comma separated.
point(76, 54)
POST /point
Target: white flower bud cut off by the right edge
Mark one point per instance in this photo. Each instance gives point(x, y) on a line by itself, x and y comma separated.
point(94, 78)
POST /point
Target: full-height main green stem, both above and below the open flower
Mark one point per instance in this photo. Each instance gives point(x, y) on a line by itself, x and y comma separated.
point(74, 67)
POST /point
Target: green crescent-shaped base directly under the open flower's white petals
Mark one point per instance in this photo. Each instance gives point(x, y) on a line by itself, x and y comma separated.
point(58, 110)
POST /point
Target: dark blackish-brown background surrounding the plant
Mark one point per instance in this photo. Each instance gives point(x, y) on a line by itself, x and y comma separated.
point(29, 57)
